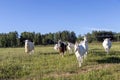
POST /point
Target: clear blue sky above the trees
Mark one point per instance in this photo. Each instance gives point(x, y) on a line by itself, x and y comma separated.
point(44, 16)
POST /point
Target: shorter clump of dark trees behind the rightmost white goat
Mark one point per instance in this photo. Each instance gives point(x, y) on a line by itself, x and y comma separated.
point(99, 36)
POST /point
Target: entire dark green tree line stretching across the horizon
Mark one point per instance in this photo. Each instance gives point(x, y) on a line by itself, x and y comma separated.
point(13, 39)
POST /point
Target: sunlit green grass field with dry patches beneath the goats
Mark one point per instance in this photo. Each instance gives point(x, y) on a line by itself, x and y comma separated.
point(47, 64)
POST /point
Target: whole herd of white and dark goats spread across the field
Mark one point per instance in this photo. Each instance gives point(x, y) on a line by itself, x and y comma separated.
point(80, 49)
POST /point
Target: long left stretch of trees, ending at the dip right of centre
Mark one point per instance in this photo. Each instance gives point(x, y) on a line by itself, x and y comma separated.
point(13, 39)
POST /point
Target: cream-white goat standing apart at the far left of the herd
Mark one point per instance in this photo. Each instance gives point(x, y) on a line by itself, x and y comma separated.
point(29, 47)
